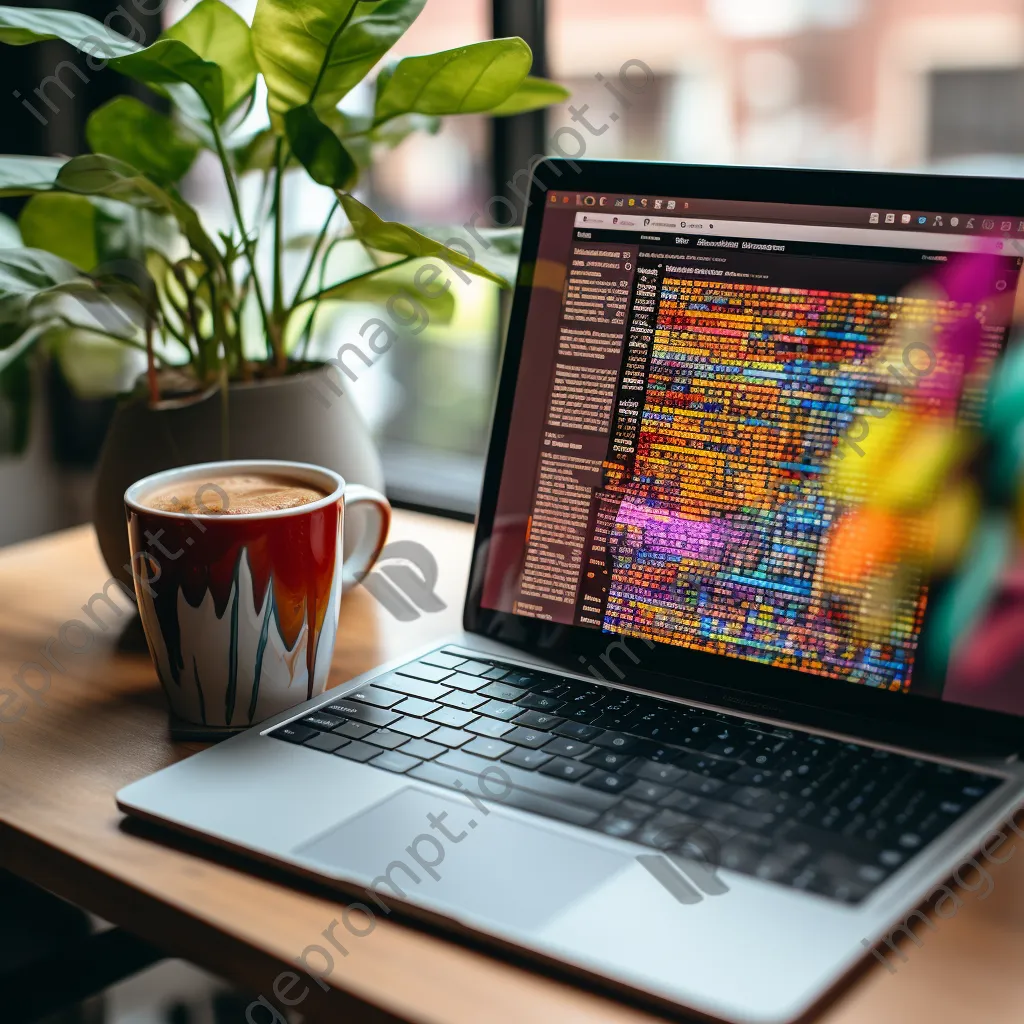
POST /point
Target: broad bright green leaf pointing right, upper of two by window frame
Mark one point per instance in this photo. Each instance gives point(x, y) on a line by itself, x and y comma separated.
point(467, 80)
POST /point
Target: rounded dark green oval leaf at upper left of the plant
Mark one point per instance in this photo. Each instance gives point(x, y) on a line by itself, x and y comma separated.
point(130, 131)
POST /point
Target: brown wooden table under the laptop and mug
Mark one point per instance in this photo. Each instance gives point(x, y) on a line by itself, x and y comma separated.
point(103, 724)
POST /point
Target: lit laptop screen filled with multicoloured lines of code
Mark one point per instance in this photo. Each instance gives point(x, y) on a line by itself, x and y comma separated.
point(726, 422)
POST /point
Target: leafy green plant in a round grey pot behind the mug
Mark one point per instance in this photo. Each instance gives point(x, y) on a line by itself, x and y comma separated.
point(113, 255)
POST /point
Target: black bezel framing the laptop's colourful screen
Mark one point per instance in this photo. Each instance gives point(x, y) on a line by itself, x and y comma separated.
point(671, 669)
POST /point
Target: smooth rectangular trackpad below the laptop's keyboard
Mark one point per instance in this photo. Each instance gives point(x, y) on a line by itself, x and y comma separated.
point(425, 847)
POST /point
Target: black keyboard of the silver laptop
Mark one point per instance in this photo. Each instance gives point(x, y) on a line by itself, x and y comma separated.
point(810, 813)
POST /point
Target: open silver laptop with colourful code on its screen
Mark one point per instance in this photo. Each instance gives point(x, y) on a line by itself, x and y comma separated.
point(700, 742)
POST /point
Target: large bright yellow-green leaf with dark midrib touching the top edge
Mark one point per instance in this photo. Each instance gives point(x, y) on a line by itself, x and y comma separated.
point(317, 51)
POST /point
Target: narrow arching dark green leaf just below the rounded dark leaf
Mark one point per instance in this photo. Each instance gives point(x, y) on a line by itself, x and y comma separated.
point(99, 176)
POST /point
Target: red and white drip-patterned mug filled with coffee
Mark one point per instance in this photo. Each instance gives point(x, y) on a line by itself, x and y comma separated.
point(241, 611)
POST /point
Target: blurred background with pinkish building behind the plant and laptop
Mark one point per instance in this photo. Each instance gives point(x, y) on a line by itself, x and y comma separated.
point(830, 83)
